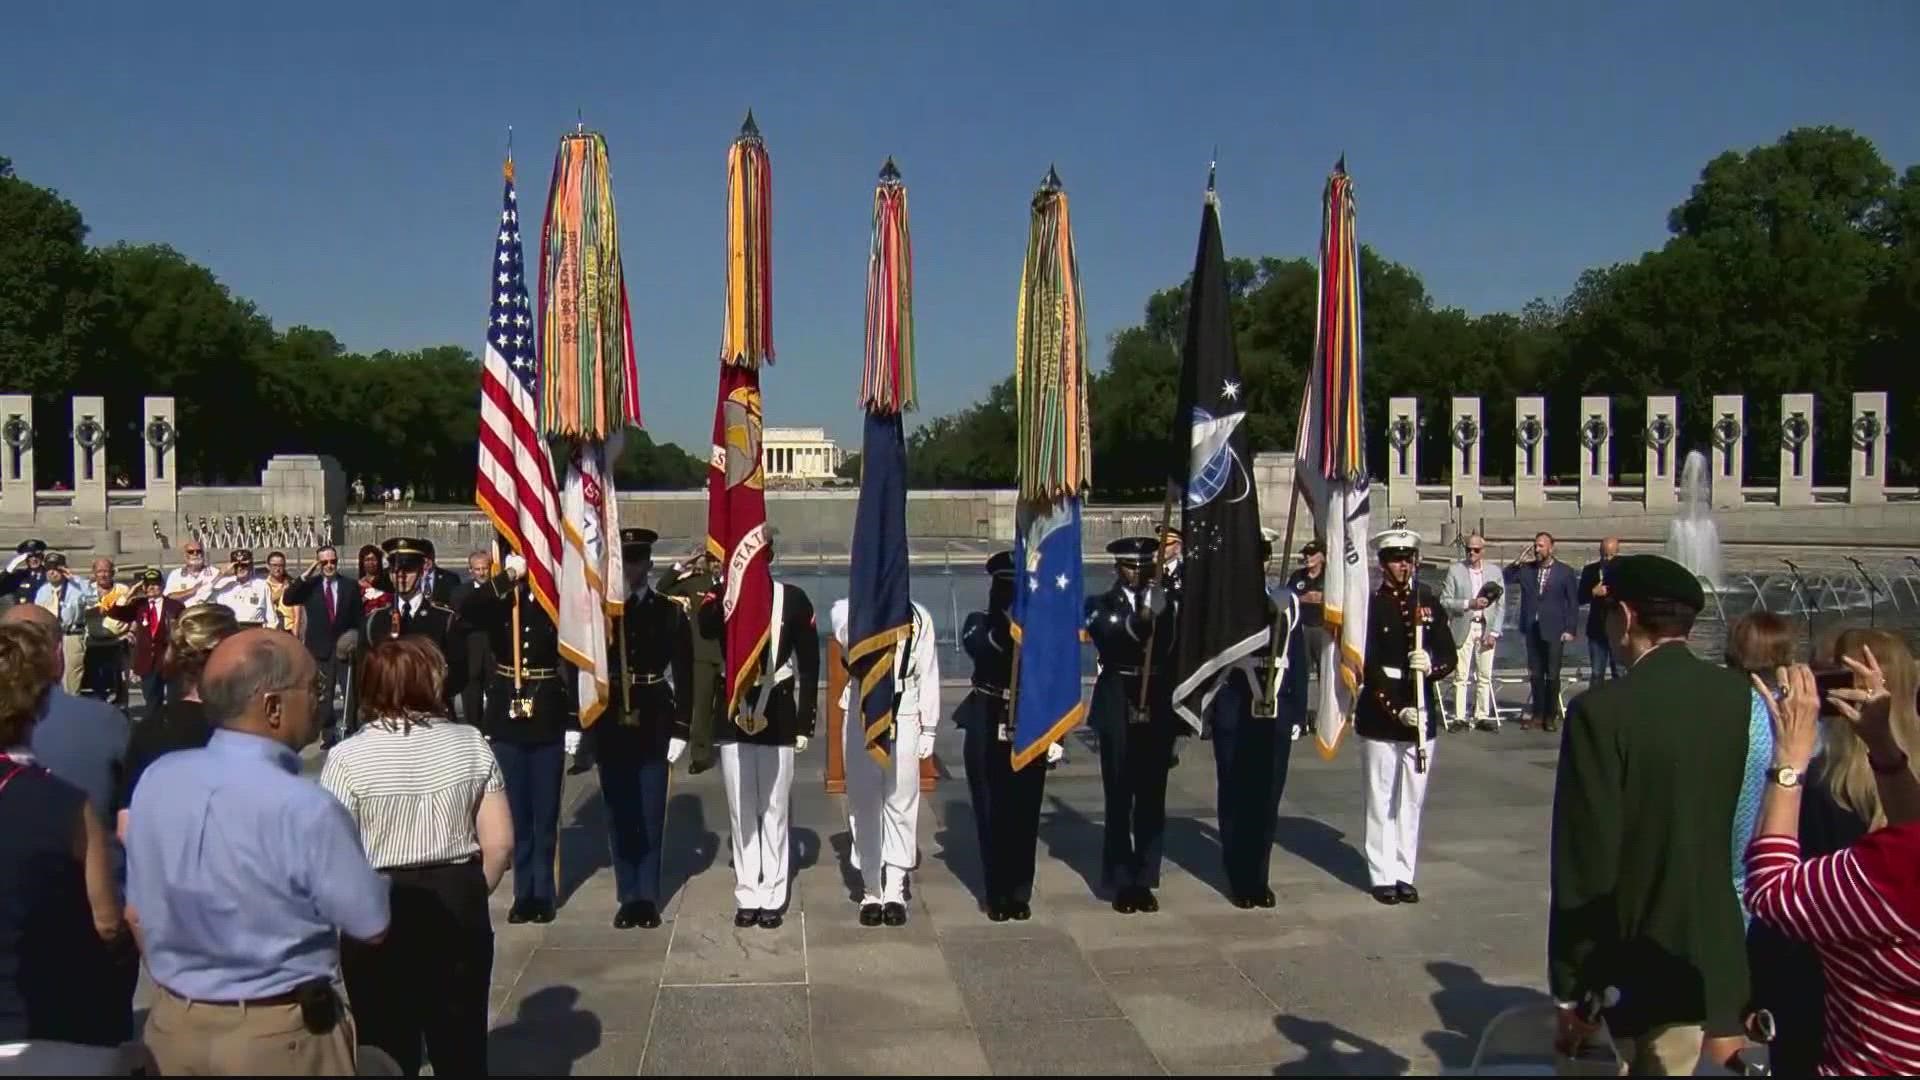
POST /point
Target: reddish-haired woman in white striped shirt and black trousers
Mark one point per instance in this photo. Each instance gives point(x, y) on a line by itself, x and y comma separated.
point(433, 816)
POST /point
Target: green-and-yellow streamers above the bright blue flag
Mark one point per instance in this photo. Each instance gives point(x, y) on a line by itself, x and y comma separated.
point(1055, 456)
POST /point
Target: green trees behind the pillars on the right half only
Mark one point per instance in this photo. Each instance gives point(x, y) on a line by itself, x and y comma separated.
point(1790, 268)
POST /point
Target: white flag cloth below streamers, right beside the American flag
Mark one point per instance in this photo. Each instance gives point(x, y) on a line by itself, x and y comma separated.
point(592, 574)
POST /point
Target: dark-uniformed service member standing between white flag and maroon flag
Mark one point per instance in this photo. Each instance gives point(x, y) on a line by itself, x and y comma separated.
point(646, 731)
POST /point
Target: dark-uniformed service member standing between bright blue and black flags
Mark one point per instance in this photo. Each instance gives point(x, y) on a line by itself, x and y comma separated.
point(1136, 745)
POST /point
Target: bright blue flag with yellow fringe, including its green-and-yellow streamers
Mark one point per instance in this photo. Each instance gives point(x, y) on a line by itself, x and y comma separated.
point(1055, 470)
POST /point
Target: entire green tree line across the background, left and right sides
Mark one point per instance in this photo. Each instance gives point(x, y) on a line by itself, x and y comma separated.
point(1788, 268)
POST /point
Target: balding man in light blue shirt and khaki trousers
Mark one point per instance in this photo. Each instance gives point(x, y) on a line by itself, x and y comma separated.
point(243, 875)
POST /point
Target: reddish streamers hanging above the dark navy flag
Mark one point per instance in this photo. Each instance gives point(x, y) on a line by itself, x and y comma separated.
point(888, 380)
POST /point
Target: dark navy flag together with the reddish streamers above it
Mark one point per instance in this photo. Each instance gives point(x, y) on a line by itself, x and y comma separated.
point(880, 612)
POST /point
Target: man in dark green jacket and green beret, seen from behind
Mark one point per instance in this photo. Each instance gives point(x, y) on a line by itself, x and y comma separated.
point(1650, 773)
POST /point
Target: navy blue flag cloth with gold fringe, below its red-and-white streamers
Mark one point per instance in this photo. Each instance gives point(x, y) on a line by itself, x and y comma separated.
point(878, 601)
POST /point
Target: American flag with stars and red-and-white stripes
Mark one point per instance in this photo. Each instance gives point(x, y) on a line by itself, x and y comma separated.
point(516, 481)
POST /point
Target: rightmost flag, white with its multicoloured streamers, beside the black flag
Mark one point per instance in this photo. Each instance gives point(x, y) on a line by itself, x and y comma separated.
point(1332, 460)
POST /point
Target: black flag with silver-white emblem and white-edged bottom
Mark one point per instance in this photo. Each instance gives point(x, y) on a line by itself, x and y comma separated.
point(1224, 599)
